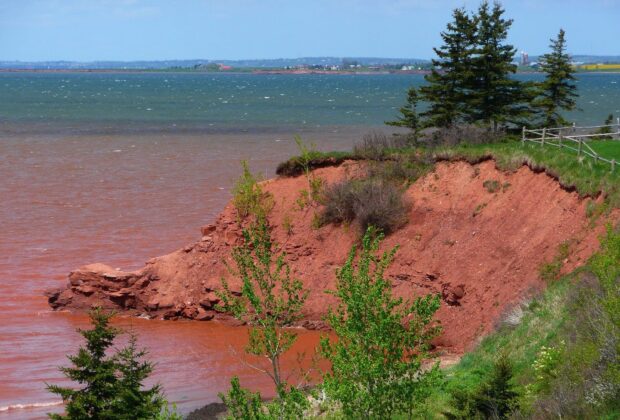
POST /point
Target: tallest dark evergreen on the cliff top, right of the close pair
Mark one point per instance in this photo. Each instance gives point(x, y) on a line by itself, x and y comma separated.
point(495, 98)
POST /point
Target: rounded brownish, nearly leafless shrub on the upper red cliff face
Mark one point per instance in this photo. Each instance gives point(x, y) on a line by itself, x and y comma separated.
point(369, 202)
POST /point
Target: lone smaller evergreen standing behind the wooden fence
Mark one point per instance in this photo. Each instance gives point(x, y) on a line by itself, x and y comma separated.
point(558, 91)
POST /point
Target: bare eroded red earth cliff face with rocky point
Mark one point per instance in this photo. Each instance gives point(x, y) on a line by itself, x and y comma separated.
point(481, 251)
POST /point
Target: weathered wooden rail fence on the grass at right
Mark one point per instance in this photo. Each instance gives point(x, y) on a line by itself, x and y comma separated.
point(570, 138)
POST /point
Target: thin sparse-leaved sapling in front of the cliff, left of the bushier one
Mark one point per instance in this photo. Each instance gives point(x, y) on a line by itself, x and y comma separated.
point(270, 301)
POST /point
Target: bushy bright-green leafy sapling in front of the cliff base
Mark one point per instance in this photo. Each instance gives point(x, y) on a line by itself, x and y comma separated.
point(380, 340)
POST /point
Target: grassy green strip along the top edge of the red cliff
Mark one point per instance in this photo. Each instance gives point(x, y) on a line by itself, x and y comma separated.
point(583, 174)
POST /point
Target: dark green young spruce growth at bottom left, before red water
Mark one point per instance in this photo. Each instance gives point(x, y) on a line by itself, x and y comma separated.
point(112, 384)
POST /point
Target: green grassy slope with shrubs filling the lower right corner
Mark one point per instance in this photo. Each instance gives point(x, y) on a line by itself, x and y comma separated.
point(562, 348)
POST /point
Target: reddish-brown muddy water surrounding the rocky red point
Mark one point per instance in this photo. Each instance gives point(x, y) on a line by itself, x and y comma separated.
point(66, 201)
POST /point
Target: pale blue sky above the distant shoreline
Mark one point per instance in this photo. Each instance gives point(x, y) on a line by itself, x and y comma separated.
point(126, 30)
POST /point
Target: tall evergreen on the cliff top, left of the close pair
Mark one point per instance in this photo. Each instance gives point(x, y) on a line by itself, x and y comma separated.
point(448, 83)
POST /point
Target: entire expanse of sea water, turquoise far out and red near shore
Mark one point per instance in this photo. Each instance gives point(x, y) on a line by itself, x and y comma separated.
point(118, 168)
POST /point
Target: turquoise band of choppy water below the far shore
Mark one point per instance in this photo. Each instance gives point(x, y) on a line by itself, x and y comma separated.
point(92, 101)
